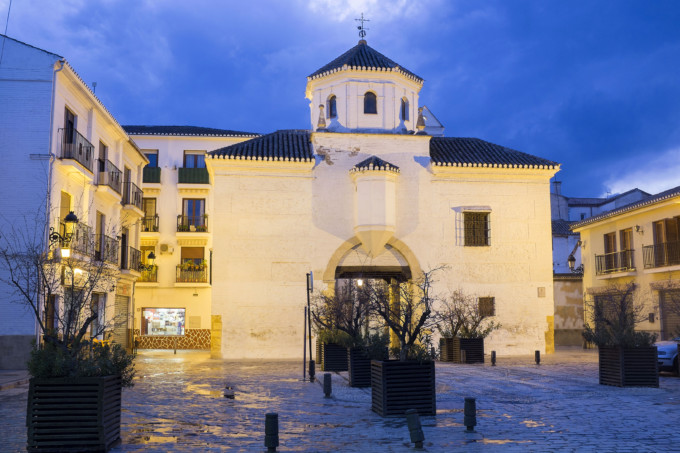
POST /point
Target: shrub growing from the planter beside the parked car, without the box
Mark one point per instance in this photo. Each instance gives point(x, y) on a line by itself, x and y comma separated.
point(613, 314)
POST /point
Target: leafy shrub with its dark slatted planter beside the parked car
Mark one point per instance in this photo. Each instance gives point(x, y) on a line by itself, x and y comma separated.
point(627, 358)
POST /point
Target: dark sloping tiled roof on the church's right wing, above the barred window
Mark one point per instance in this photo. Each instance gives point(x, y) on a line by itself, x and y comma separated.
point(473, 152)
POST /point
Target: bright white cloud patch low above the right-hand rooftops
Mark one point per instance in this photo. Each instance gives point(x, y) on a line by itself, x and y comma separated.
point(652, 175)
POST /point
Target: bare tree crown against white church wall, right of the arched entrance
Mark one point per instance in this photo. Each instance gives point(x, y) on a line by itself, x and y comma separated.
point(460, 315)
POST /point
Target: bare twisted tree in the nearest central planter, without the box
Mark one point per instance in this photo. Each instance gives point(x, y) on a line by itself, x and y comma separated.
point(407, 310)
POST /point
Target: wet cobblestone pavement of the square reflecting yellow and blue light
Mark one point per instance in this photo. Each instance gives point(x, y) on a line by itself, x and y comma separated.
point(177, 404)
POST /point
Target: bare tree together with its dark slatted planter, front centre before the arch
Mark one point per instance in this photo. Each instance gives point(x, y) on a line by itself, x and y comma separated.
point(408, 382)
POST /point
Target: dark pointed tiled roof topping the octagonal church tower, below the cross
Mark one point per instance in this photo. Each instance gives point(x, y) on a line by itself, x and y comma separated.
point(362, 56)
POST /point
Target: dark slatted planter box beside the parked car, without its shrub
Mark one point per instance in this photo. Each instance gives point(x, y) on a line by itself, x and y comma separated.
point(635, 367)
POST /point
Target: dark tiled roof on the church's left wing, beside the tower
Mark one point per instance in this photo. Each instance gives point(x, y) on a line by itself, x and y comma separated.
point(285, 145)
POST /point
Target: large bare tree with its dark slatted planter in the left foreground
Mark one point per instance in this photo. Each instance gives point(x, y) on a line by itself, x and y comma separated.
point(74, 399)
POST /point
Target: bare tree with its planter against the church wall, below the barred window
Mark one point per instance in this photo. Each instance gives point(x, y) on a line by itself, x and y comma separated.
point(464, 322)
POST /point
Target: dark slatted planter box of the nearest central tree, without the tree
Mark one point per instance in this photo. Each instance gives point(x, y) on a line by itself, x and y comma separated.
point(399, 386)
